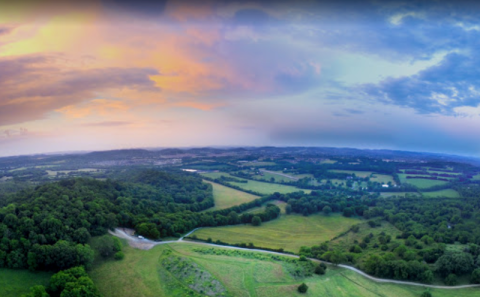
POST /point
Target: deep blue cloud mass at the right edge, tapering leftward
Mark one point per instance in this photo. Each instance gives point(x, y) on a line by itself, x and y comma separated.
point(439, 89)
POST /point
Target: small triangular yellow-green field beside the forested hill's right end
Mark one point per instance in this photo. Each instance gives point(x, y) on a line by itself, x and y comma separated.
point(226, 197)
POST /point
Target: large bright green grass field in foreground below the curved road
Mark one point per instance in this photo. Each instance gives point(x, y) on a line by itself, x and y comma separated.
point(140, 274)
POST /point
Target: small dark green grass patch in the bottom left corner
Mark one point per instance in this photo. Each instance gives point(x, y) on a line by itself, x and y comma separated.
point(14, 283)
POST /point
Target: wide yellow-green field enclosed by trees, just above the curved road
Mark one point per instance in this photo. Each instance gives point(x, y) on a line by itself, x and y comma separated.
point(289, 232)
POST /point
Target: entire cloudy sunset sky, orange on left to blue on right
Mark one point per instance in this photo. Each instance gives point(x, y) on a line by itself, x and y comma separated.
point(114, 74)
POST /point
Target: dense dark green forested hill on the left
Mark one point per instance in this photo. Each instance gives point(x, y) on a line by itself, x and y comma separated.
point(48, 227)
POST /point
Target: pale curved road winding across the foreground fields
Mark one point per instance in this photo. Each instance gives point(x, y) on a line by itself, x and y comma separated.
point(122, 234)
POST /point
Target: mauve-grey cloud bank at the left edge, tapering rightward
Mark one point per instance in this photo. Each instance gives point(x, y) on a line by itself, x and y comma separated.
point(32, 86)
